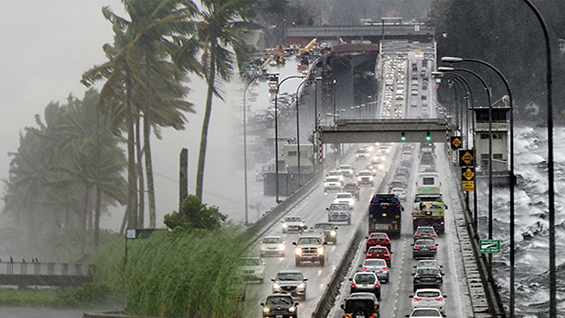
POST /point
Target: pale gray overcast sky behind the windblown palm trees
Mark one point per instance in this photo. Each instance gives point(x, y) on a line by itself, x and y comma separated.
point(46, 45)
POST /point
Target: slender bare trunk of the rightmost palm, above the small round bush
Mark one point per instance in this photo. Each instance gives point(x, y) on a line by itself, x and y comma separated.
point(205, 125)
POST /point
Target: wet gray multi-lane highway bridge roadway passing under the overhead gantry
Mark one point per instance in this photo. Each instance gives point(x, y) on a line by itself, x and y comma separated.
point(470, 292)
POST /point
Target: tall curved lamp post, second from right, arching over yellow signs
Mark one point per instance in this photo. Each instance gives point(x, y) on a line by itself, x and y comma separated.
point(512, 177)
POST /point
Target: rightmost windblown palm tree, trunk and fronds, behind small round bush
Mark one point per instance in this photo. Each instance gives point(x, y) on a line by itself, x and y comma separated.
point(221, 25)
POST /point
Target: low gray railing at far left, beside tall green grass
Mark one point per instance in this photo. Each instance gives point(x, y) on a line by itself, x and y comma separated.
point(53, 269)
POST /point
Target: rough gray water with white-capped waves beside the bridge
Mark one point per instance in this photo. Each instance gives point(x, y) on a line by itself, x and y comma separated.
point(531, 224)
